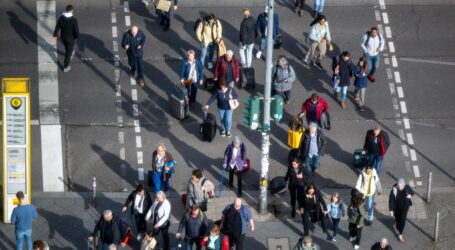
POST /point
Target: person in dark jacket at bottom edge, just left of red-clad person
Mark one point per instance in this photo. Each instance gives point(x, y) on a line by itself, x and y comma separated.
point(195, 224)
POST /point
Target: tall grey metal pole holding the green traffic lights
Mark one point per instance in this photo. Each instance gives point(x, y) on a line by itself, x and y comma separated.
point(266, 122)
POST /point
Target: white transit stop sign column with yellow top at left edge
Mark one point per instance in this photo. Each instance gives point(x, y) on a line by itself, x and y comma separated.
point(15, 142)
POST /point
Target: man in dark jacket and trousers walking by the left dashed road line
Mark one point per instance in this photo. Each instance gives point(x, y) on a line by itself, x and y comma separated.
point(133, 42)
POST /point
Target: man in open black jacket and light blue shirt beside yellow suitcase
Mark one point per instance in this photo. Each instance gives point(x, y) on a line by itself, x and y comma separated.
point(312, 147)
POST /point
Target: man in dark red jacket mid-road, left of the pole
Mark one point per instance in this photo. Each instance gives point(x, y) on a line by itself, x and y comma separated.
point(227, 67)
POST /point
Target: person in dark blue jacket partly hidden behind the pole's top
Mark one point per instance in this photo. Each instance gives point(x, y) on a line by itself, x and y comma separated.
point(261, 30)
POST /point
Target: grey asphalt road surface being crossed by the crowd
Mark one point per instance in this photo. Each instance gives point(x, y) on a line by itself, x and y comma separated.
point(90, 109)
